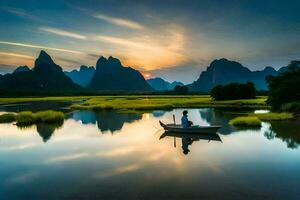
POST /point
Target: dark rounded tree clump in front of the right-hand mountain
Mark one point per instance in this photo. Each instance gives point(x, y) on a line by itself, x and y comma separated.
point(233, 91)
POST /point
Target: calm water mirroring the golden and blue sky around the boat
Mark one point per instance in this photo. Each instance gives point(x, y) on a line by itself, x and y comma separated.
point(109, 155)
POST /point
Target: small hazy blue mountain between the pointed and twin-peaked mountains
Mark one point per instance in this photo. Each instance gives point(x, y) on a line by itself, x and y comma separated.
point(83, 76)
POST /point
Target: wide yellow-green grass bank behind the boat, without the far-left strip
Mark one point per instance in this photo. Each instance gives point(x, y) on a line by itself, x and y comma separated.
point(165, 102)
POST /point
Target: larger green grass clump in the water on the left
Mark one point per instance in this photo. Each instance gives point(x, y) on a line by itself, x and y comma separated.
point(28, 118)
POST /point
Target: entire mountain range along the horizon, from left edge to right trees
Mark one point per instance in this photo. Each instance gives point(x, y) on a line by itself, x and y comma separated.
point(111, 75)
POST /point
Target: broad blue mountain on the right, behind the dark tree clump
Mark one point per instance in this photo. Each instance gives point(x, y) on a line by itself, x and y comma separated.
point(224, 71)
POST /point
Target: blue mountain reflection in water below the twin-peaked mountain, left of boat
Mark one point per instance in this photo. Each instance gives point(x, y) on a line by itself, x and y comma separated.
point(106, 120)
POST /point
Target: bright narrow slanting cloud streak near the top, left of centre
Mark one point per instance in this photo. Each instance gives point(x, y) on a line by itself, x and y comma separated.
point(120, 22)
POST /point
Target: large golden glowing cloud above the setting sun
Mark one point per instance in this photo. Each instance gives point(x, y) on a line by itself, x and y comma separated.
point(149, 52)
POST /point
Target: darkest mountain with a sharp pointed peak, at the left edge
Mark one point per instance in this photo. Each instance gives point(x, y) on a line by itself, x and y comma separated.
point(46, 76)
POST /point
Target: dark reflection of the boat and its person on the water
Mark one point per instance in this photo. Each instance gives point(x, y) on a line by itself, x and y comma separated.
point(188, 139)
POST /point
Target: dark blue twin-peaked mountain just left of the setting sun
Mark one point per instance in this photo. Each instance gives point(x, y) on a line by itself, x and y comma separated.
point(110, 75)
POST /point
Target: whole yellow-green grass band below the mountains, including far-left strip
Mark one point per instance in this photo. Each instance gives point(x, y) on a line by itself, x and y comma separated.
point(144, 102)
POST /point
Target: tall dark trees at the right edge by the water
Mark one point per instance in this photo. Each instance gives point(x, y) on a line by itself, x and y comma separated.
point(285, 87)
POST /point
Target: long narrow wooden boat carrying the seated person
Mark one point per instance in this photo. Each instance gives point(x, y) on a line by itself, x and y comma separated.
point(176, 128)
